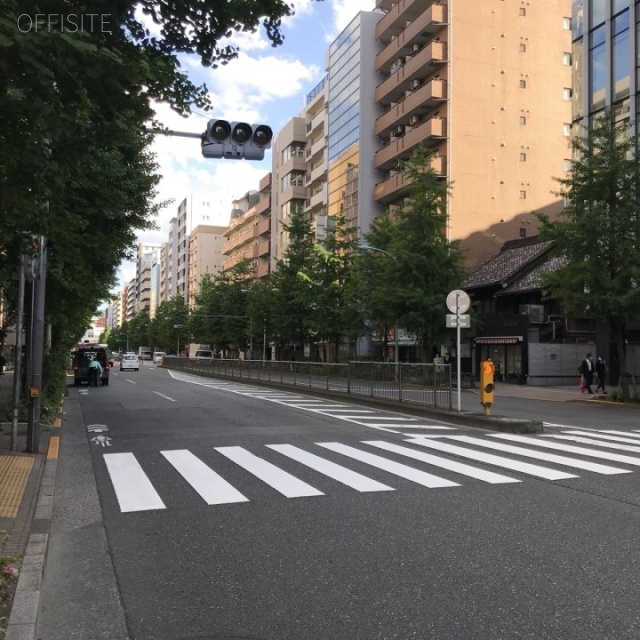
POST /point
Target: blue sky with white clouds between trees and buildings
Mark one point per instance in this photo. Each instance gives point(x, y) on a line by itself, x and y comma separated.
point(264, 84)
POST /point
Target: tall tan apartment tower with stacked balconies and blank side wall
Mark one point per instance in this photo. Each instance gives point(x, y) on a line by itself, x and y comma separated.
point(486, 86)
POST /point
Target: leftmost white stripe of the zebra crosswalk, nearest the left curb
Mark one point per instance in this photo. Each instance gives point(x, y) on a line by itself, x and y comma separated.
point(133, 488)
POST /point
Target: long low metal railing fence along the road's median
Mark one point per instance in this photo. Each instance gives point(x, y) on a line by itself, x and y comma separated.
point(428, 384)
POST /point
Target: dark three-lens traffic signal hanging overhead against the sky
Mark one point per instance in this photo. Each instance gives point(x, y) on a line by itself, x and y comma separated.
point(236, 140)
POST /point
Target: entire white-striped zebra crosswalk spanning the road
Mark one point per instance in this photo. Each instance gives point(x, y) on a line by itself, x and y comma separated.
point(430, 461)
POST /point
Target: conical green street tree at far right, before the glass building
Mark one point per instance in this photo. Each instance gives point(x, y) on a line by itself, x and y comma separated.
point(598, 231)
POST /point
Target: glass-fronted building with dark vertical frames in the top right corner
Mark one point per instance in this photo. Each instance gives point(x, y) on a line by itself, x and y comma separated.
point(605, 54)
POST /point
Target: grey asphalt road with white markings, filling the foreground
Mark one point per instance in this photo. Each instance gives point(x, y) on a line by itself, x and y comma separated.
point(204, 516)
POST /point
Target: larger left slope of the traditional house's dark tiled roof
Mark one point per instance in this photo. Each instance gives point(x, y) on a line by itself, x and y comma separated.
point(513, 257)
